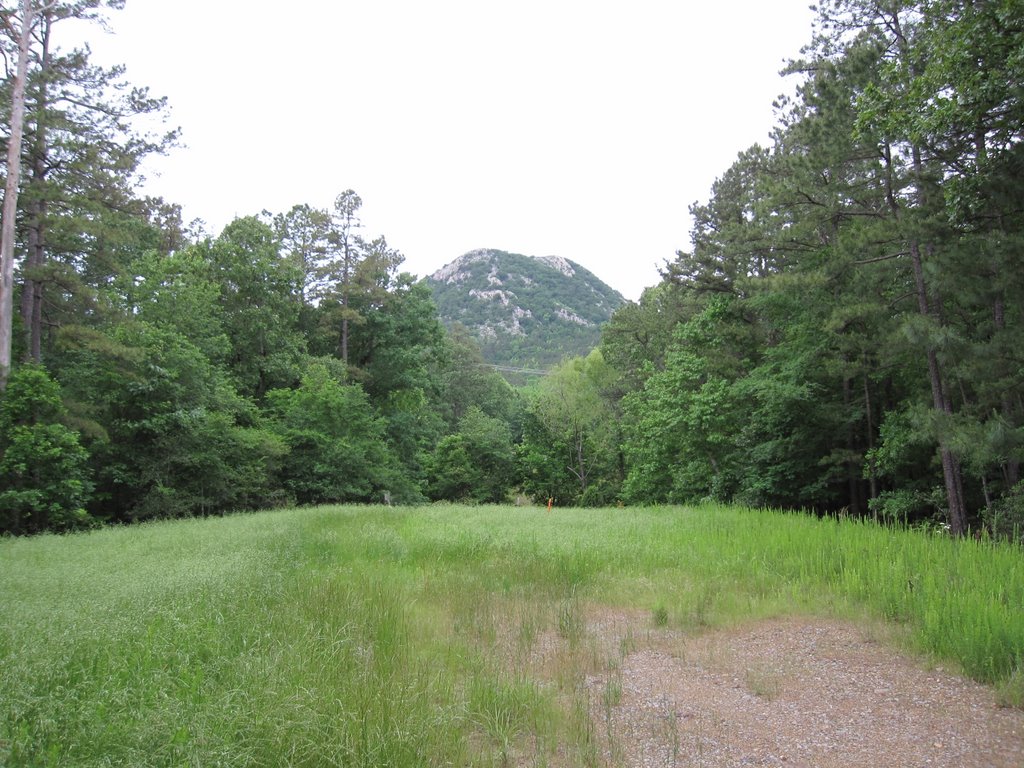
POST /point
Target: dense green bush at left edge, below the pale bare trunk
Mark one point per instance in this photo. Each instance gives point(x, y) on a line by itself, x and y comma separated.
point(45, 481)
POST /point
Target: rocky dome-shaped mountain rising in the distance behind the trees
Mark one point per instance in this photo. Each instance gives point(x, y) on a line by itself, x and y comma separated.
point(527, 312)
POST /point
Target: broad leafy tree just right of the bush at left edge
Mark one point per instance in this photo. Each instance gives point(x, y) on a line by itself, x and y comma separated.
point(175, 439)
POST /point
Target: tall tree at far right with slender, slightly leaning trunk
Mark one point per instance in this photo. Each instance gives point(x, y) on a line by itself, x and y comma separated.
point(946, 129)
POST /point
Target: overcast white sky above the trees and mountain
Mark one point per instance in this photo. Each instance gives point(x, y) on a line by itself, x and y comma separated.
point(579, 129)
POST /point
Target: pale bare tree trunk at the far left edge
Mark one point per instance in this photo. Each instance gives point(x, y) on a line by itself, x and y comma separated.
point(11, 194)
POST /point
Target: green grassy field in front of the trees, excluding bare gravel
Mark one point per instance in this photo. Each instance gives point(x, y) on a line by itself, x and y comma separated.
point(374, 636)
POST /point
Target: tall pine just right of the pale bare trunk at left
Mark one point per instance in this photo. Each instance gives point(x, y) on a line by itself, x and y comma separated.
point(81, 153)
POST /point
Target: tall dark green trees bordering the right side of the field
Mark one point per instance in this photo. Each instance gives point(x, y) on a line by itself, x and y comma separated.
point(844, 332)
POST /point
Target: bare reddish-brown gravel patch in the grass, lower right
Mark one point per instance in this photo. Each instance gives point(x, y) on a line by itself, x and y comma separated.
point(784, 693)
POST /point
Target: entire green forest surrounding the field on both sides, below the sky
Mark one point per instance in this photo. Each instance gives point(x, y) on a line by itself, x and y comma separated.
point(839, 337)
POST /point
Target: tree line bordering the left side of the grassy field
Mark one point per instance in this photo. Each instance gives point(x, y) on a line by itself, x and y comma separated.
point(153, 370)
